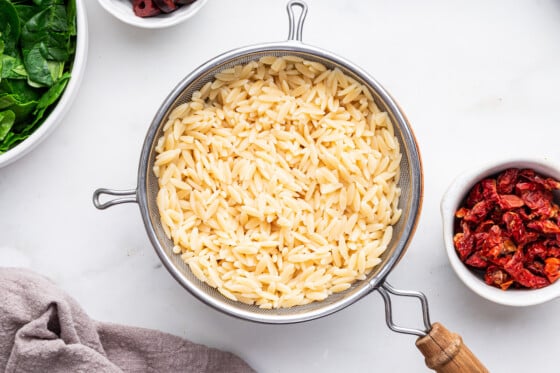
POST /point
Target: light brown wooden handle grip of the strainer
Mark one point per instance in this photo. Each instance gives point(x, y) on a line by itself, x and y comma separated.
point(445, 352)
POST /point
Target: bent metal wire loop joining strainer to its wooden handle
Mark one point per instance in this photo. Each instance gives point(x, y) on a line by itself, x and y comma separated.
point(385, 290)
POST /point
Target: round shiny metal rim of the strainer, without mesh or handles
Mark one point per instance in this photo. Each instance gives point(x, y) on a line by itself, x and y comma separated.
point(388, 101)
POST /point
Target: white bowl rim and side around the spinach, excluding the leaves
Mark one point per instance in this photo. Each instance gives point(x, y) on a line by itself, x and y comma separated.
point(65, 100)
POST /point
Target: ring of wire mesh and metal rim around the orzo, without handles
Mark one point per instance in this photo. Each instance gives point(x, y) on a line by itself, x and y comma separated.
point(410, 182)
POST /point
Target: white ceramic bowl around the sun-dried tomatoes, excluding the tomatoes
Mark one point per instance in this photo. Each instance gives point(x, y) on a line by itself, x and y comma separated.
point(451, 201)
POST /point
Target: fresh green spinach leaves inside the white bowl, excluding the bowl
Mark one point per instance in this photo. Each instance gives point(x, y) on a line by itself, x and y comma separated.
point(37, 47)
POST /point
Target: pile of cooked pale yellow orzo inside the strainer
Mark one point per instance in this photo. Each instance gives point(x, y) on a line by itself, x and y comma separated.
point(278, 182)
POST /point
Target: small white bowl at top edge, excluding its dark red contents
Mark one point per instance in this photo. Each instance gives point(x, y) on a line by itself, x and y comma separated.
point(122, 10)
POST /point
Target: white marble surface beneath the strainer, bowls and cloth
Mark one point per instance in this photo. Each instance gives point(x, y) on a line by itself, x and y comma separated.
point(478, 80)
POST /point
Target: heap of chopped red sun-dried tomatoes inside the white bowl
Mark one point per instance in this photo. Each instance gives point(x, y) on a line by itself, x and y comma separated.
point(509, 228)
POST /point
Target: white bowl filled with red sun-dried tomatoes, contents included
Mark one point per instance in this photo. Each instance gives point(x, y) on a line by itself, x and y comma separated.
point(501, 226)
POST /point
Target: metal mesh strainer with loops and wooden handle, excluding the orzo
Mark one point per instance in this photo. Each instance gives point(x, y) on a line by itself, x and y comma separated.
point(410, 183)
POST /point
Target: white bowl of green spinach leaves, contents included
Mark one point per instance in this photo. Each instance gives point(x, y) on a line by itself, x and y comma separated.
point(43, 48)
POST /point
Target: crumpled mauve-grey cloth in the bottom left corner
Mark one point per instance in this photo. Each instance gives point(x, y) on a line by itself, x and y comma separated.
point(42, 329)
